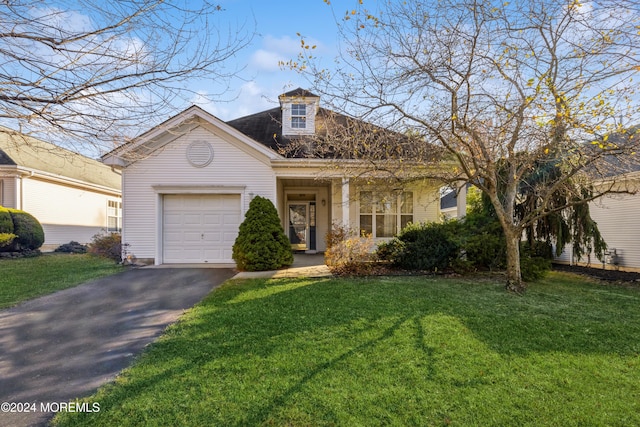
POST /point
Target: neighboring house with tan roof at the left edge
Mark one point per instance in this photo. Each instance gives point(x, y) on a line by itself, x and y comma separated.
point(72, 196)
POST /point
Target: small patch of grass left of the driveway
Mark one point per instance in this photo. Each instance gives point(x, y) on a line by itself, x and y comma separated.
point(25, 278)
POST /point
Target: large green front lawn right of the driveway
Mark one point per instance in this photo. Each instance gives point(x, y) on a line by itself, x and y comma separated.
point(388, 351)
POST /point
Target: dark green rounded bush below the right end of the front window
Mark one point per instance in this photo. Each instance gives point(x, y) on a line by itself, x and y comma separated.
point(425, 246)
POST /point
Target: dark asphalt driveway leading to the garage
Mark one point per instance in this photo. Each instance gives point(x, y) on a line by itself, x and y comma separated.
point(65, 345)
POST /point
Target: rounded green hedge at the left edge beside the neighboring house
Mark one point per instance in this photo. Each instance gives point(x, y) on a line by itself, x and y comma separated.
point(27, 229)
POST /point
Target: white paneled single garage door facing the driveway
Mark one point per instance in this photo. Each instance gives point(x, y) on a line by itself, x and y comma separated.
point(199, 228)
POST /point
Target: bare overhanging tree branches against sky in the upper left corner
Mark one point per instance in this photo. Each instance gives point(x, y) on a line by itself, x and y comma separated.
point(92, 73)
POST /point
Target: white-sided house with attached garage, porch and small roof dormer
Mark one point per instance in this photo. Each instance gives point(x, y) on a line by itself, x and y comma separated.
point(187, 184)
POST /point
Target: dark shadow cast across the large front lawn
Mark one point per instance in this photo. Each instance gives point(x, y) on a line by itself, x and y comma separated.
point(254, 319)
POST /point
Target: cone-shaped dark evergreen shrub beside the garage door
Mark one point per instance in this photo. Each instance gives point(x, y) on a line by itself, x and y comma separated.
point(261, 243)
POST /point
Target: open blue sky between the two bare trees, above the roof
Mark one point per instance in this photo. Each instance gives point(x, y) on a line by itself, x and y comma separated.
point(277, 24)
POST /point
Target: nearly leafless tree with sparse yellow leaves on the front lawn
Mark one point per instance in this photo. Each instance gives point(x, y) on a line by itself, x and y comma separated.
point(503, 87)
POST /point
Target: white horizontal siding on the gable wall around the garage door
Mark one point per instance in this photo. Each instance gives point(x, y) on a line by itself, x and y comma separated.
point(232, 167)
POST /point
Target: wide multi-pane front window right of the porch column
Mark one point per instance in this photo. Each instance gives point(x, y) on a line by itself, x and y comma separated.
point(385, 214)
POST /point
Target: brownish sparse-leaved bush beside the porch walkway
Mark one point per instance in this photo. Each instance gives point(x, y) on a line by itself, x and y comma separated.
point(347, 253)
